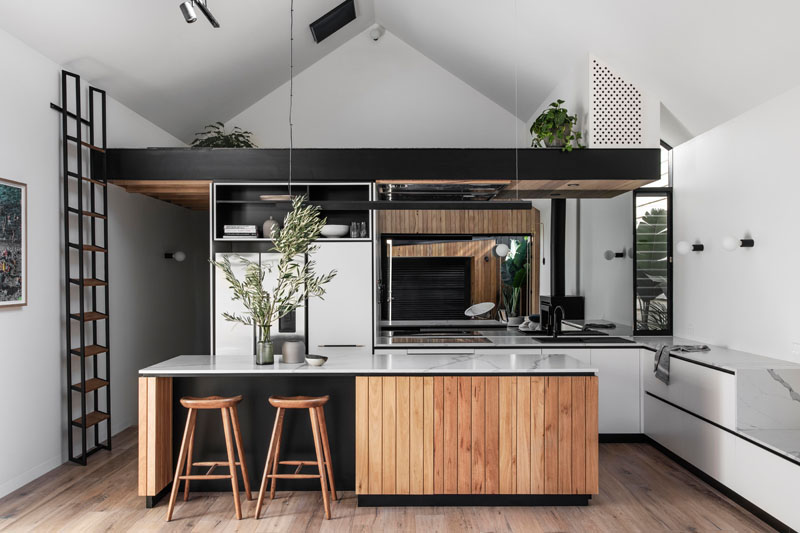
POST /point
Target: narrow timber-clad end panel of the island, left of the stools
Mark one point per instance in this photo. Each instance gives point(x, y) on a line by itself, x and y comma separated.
point(155, 435)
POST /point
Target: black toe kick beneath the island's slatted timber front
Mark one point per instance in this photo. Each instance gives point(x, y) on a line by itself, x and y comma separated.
point(473, 500)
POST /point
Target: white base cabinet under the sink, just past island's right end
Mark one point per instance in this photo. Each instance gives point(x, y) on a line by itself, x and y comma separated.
point(619, 389)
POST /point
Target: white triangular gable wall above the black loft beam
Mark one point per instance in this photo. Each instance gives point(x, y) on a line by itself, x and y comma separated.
point(369, 94)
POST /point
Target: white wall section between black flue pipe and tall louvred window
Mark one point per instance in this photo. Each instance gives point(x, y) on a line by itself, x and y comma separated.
point(607, 224)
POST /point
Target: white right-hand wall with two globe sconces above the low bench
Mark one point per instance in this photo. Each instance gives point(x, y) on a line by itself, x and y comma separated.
point(737, 179)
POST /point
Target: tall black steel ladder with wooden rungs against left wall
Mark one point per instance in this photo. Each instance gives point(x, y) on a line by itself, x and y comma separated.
point(86, 265)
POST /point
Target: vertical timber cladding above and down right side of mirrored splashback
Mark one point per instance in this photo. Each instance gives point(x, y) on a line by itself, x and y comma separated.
point(471, 222)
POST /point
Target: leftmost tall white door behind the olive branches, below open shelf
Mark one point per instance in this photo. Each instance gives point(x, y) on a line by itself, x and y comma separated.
point(231, 338)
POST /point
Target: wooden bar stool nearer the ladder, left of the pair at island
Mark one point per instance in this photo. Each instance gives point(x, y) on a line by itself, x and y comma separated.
point(230, 417)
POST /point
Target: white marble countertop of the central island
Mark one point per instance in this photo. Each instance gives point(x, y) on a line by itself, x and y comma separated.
point(199, 365)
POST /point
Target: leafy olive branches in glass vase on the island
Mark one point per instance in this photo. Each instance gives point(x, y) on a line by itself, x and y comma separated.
point(296, 282)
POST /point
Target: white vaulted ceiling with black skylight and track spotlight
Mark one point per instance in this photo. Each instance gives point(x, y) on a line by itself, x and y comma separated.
point(708, 60)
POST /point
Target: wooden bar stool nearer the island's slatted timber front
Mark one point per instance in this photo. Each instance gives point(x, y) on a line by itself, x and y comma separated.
point(323, 463)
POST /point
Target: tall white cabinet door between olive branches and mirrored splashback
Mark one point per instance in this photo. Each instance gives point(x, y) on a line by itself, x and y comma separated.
point(342, 321)
